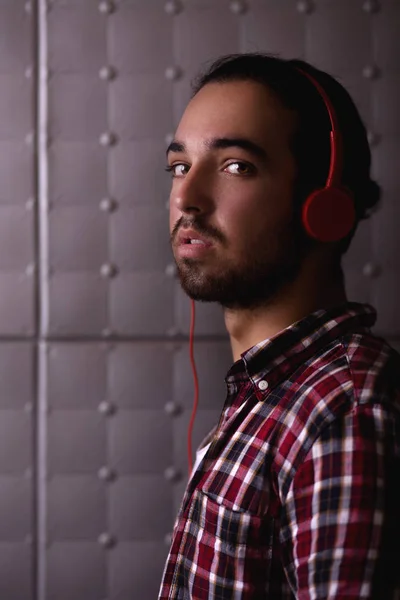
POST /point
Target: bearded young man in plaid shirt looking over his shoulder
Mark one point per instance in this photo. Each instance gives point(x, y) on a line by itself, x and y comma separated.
point(297, 494)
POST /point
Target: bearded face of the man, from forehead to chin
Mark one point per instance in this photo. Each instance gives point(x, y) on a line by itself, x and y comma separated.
point(232, 190)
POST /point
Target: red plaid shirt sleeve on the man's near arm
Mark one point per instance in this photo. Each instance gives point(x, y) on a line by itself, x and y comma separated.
point(340, 521)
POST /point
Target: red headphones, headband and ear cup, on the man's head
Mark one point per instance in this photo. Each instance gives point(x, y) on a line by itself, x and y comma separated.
point(328, 214)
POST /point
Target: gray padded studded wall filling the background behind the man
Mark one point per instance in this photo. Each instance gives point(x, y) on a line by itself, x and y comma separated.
point(96, 388)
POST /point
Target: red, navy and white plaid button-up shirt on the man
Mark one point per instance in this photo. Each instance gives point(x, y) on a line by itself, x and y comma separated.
point(298, 495)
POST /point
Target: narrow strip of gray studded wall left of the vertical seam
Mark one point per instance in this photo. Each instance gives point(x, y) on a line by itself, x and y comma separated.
point(17, 300)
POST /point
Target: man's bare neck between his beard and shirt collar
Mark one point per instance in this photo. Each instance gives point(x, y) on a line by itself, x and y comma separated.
point(249, 327)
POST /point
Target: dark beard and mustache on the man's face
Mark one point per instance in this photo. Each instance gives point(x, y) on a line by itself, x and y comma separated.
point(256, 279)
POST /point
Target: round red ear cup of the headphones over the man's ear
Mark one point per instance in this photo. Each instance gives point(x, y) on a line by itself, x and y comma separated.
point(328, 214)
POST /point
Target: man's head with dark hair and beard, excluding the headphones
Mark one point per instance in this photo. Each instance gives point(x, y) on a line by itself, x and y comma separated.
point(251, 145)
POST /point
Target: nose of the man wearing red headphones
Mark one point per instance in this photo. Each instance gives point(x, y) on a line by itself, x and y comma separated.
point(193, 194)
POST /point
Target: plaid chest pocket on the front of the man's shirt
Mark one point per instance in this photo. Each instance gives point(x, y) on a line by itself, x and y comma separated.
point(227, 550)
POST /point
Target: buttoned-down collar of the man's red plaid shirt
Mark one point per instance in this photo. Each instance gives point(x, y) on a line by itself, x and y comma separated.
point(273, 359)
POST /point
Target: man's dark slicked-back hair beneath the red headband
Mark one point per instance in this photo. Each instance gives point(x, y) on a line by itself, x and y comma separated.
point(311, 143)
